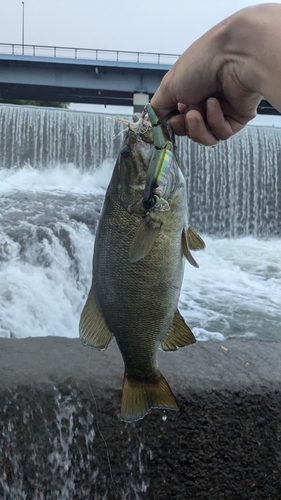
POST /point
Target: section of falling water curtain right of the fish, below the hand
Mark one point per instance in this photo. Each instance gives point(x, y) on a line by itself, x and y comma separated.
point(234, 189)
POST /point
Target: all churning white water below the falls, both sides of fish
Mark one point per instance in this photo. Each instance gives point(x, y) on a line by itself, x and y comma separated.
point(47, 224)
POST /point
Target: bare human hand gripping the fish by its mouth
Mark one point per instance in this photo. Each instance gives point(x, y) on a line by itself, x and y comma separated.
point(214, 84)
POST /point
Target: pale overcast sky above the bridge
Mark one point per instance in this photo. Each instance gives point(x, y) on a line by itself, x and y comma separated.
point(165, 26)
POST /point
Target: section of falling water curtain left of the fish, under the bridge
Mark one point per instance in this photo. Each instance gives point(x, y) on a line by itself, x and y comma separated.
point(45, 137)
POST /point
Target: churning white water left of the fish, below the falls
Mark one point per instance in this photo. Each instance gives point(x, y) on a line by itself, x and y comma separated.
point(46, 246)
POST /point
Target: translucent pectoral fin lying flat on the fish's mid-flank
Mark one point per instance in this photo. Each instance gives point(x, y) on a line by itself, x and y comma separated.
point(144, 239)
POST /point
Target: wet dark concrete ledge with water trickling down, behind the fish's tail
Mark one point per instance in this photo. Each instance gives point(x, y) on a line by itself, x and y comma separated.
point(224, 443)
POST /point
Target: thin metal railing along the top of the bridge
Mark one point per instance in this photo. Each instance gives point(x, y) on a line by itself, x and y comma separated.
point(92, 54)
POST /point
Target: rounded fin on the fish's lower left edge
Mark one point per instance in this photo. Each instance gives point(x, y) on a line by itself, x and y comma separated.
point(93, 329)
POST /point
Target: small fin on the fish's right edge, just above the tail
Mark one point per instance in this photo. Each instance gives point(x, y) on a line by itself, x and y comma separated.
point(179, 334)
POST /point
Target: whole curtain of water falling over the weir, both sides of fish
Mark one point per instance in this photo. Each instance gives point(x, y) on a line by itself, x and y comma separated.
point(233, 189)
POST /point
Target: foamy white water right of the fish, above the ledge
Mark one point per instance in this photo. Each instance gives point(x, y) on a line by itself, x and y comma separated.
point(236, 291)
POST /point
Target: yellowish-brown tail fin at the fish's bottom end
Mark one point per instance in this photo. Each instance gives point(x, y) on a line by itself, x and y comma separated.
point(139, 397)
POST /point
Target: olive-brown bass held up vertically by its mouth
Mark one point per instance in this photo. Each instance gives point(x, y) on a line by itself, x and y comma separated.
point(138, 266)
